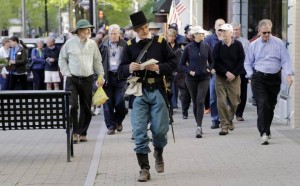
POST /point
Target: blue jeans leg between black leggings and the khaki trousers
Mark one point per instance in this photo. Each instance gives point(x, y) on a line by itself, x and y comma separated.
point(213, 100)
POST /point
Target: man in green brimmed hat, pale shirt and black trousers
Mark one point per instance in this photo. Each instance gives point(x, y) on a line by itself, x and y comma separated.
point(79, 60)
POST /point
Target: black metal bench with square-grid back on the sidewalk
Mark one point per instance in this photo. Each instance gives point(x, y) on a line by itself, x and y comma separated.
point(30, 110)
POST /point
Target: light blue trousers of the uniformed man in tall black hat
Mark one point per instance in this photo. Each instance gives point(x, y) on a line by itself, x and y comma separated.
point(151, 106)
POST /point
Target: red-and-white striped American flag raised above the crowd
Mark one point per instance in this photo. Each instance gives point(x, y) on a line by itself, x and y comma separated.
point(177, 8)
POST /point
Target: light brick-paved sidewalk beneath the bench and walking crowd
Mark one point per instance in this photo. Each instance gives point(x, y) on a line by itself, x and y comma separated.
point(38, 157)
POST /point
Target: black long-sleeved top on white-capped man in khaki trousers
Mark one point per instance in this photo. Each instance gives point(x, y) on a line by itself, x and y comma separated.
point(229, 58)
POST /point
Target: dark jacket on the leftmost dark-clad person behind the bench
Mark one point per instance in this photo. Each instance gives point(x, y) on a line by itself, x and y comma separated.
point(21, 61)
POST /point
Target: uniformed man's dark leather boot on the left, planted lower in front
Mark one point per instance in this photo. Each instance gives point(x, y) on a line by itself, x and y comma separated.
point(144, 164)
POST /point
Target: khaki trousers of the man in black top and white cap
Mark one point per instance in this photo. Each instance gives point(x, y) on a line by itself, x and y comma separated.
point(228, 96)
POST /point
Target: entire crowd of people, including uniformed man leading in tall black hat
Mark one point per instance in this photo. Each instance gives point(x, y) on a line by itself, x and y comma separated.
point(192, 68)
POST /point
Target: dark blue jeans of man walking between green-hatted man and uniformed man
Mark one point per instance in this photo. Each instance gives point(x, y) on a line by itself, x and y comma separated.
point(114, 108)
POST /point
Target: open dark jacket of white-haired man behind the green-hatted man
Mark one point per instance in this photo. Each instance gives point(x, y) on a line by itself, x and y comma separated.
point(105, 51)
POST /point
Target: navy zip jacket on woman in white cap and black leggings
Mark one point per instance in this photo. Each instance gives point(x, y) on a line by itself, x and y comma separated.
point(197, 58)
